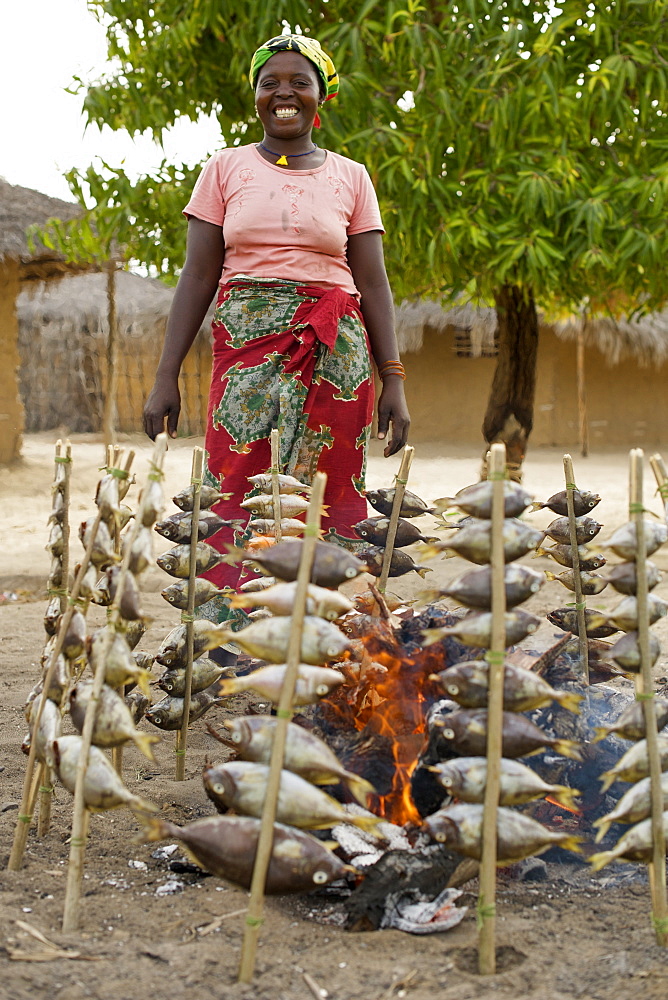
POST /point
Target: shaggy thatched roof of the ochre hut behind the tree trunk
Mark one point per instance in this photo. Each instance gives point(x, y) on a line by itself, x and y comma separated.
point(644, 339)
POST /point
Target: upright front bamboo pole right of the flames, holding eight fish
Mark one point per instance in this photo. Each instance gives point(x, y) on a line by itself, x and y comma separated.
point(495, 657)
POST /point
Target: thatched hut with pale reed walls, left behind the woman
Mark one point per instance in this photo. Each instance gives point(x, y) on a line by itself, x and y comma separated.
point(63, 335)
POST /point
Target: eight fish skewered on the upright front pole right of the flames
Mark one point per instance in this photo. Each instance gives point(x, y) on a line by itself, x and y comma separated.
point(457, 726)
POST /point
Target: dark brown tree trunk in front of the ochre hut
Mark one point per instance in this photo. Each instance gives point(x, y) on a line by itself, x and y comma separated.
point(509, 416)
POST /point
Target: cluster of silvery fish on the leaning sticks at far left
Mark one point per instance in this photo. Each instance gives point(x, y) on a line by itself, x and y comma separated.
point(110, 649)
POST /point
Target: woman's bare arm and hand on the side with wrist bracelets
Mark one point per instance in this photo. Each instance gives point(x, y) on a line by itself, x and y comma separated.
point(365, 259)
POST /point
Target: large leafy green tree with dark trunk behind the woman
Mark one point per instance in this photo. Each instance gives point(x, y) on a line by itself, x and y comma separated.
point(518, 148)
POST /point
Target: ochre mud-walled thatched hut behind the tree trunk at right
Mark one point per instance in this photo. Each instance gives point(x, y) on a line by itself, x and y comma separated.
point(450, 356)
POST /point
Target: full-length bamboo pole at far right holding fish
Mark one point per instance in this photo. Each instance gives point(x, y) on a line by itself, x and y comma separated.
point(645, 692)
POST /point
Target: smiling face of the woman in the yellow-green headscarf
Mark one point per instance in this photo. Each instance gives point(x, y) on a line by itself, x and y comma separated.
point(287, 95)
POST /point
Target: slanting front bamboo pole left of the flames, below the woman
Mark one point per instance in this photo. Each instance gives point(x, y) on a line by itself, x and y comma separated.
point(284, 712)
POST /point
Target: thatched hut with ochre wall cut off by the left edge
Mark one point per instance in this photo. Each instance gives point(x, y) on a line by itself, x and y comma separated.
point(19, 264)
